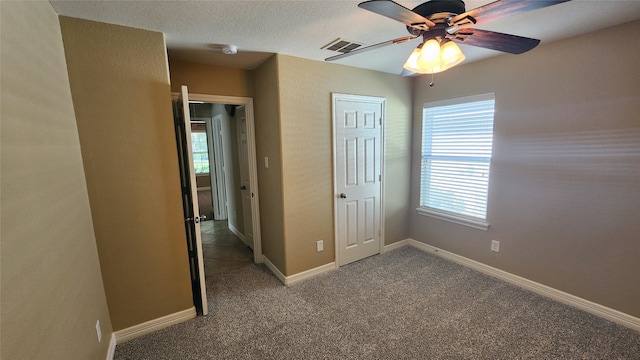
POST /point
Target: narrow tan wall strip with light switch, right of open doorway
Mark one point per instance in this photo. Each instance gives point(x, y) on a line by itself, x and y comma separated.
point(267, 129)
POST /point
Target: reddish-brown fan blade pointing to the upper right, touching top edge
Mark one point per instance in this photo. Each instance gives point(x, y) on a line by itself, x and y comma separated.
point(500, 9)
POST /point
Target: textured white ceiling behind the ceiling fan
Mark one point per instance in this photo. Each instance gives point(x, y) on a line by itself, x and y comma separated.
point(195, 30)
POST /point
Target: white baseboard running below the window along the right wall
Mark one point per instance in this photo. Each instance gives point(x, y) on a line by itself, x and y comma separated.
point(544, 290)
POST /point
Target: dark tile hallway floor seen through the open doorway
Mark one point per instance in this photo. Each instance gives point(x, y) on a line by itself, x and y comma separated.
point(222, 250)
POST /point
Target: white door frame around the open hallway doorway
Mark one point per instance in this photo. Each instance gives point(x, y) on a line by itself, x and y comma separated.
point(253, 169)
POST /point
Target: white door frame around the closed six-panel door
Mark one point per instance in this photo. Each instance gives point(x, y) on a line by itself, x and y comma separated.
point(334, 98)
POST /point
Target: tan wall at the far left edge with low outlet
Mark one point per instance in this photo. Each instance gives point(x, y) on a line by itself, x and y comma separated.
point(52, 290)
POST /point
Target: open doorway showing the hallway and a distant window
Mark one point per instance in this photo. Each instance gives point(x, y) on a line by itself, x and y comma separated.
point(220, 155)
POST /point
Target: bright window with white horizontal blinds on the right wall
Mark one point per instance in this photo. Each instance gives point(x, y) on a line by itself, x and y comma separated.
point(457, 137)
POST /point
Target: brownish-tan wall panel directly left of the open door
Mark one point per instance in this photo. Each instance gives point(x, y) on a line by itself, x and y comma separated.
point(121, 94)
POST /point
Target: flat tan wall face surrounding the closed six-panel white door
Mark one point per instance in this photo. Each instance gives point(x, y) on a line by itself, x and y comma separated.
point(307, 165)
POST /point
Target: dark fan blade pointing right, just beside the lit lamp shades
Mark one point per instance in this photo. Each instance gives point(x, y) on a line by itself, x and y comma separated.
point(508, 43)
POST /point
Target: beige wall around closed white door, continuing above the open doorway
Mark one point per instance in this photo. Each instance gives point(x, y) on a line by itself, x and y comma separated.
point(292, 201)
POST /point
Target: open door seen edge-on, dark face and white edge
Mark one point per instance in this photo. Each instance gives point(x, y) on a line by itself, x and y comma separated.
point(182, 120)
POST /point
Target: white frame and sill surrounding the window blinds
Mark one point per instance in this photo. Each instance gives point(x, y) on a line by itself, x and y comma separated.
point(455, 217)
